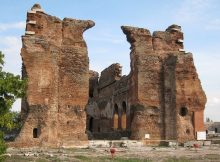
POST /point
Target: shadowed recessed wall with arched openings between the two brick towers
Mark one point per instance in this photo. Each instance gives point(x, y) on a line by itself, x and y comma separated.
point(109, 92)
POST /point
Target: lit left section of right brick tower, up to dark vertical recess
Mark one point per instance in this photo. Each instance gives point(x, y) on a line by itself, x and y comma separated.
point(145, 84)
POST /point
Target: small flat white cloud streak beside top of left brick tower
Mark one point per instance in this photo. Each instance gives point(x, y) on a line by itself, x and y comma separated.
point(16, 25)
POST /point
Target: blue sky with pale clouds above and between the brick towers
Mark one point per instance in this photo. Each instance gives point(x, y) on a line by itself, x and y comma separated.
point(200, 21)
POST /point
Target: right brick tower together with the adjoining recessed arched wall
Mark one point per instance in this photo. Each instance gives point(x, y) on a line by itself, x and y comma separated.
point(162, 94)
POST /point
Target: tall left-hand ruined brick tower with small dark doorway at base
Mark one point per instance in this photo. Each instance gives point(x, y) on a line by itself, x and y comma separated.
point(55, 57)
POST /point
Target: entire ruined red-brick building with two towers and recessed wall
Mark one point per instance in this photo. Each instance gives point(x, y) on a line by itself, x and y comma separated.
point(160, 99)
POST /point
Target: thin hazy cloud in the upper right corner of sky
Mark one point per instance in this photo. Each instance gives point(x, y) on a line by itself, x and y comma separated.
point(199, 13)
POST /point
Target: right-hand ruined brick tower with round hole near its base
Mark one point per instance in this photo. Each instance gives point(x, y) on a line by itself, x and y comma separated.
point(163, 76)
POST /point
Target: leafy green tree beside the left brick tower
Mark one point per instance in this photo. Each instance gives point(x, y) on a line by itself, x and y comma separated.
point(11, 88)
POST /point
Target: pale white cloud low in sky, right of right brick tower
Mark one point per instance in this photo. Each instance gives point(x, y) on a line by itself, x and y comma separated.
point(207, 65)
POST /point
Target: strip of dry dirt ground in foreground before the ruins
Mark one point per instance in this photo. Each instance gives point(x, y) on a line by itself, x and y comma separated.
point(131, 154)
